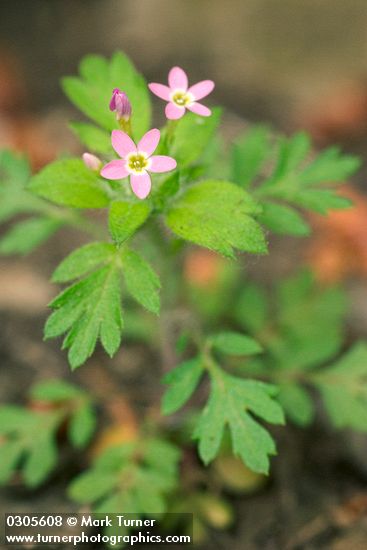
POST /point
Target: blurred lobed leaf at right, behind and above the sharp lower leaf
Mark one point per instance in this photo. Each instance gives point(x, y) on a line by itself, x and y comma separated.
point(302, 333)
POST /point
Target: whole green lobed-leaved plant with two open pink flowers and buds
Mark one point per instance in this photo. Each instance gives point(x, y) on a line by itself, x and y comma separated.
point(164, 190)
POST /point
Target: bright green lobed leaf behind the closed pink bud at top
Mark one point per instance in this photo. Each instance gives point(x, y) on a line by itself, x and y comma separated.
point(92, 91)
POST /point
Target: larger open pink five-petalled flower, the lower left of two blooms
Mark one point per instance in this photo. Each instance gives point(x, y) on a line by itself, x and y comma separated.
point(137, 160)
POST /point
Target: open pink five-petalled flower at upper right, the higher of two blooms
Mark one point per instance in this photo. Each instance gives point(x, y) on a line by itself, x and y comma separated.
point(180, 97)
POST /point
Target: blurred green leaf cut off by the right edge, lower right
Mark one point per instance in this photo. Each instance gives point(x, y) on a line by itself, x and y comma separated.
point(343, 386)
